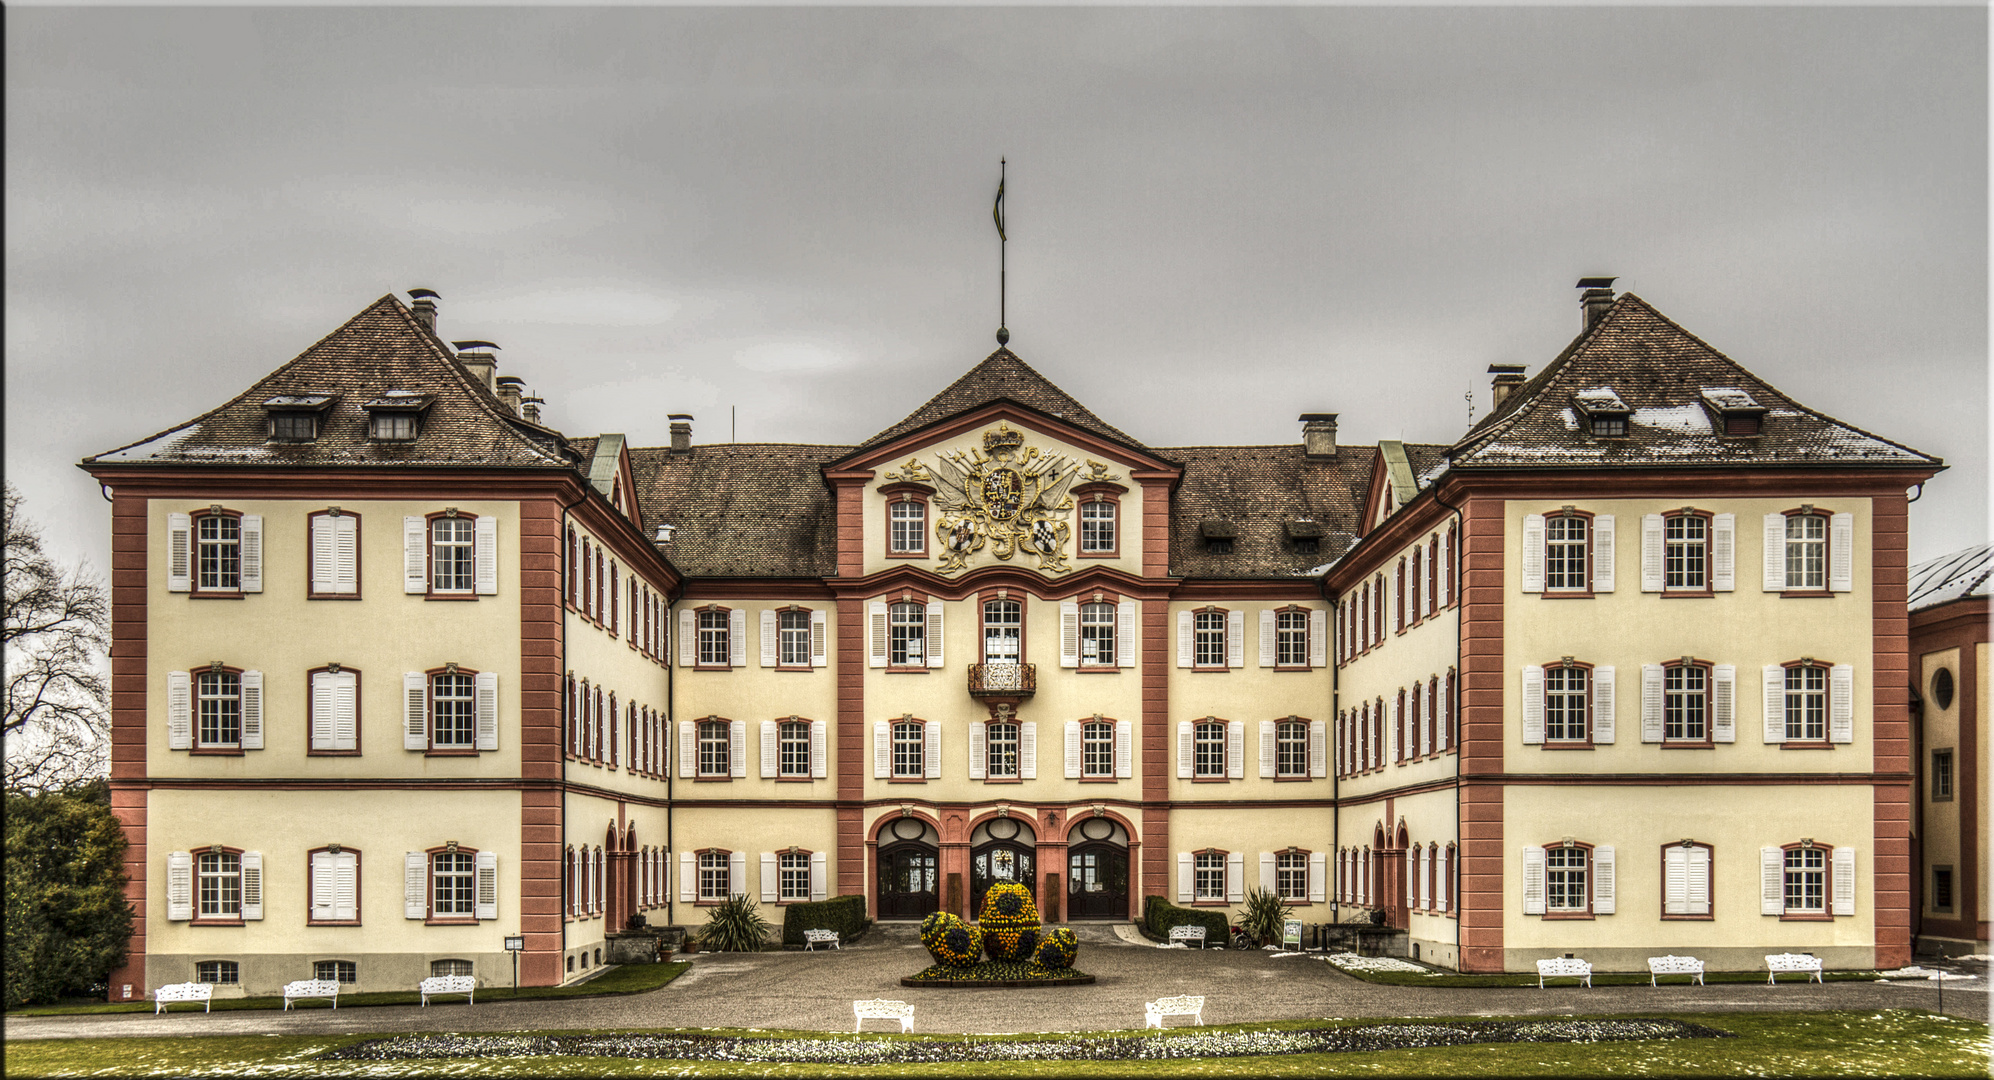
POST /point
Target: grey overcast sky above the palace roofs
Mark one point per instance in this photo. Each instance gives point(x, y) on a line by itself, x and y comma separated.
point(1221, 218)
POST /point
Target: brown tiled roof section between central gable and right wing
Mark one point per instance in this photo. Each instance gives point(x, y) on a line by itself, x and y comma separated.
point(1257, 489)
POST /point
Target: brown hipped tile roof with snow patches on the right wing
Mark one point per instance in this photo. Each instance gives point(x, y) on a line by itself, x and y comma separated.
point(1660, 372)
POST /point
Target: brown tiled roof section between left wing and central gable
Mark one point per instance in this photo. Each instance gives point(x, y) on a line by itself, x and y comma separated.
point(743, 509)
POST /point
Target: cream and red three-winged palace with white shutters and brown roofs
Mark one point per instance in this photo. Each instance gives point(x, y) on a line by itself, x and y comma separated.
point(402, 673)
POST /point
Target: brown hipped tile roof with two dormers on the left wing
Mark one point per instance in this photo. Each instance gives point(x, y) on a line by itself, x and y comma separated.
point(378, 352)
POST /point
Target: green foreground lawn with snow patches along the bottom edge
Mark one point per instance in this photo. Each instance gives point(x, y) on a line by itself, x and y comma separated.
point(1893, 1043)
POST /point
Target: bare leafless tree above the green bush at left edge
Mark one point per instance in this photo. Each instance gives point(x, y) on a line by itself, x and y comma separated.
point(57, 635)
